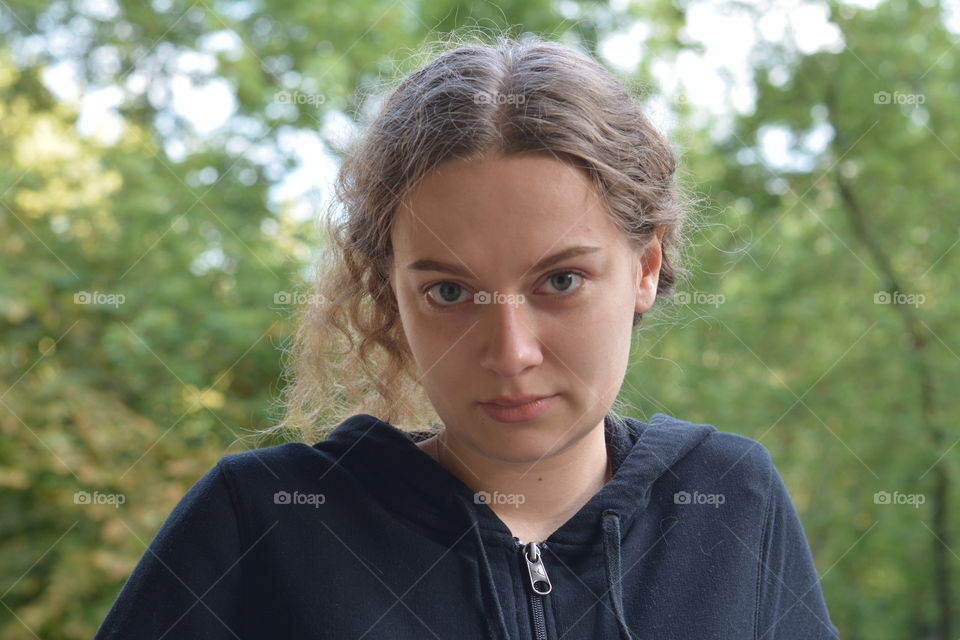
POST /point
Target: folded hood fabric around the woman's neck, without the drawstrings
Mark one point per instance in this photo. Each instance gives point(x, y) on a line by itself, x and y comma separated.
point(412, 484)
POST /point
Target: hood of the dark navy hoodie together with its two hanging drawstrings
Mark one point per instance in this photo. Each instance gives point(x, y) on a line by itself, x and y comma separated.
point(418, 490)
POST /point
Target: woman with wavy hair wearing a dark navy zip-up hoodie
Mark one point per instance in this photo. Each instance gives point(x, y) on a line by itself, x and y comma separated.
point(510, 215)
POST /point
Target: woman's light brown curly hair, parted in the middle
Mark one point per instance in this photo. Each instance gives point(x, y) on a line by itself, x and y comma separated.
point(349, 354)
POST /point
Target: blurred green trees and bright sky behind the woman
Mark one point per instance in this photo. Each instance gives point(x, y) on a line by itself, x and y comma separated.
point(163, 163)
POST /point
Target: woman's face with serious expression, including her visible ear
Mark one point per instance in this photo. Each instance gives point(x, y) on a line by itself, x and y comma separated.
point(487, 312)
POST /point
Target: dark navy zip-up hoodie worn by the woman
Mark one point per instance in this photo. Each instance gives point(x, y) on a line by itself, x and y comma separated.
point(364, 535)
